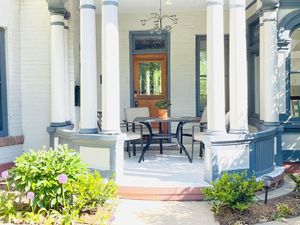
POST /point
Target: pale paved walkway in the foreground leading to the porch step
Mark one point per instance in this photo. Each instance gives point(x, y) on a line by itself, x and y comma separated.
point(134, 212)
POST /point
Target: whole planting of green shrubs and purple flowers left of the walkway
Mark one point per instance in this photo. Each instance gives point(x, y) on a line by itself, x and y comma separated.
point(55, 187)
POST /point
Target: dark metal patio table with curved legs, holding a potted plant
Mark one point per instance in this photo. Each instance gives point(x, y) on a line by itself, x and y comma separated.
point(181, 120)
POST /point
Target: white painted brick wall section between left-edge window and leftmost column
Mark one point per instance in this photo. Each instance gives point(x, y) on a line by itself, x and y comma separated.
point(35, 70)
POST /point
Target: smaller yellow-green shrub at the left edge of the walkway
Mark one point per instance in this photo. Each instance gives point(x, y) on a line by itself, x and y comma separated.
point(92, 191)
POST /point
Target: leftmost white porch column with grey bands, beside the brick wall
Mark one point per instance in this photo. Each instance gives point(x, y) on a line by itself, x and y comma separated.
point(58, 117)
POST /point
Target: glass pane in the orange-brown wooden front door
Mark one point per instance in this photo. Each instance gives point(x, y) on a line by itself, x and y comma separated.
point(150, 78)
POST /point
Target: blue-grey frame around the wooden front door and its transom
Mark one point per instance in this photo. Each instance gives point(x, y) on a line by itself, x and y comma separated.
point(132, 52)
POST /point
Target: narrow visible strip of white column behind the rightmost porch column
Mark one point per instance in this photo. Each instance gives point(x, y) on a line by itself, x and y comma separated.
point(261, 69)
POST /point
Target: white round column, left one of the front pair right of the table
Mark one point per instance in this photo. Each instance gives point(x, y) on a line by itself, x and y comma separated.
point(215, 68)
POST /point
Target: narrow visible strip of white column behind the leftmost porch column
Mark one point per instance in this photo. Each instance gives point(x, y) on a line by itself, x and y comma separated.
point(67, 75)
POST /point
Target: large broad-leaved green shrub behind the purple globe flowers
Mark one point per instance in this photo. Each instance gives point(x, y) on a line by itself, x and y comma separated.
point(38, 171)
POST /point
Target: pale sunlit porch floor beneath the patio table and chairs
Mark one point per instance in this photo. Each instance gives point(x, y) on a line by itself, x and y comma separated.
point(168, 170)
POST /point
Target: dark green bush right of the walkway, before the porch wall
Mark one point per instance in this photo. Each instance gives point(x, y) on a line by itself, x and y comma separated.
point(233, 190)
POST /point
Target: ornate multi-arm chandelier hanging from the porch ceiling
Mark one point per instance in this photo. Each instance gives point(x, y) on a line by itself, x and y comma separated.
point(157, 19)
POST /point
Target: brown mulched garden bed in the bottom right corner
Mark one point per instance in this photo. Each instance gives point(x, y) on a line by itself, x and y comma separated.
point(258, 212)
